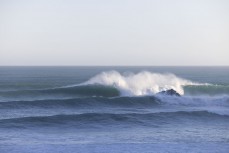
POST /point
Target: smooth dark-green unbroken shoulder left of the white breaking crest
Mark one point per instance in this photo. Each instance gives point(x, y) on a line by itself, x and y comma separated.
point(67, 92)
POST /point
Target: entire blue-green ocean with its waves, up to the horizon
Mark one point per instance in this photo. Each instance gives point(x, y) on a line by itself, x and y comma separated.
point(114, 109)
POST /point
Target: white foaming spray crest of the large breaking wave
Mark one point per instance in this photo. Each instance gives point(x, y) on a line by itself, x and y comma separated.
point(143, 83)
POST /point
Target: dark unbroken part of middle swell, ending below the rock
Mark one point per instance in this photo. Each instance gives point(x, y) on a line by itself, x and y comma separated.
point(86, 102)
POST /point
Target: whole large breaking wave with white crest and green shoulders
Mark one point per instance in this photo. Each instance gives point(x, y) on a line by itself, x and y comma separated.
point(114, 84)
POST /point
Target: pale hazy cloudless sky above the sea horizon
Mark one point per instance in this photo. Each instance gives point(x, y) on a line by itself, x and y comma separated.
point(114, 32)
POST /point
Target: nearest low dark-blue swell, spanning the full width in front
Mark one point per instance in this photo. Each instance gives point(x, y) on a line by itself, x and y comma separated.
point(107, 119)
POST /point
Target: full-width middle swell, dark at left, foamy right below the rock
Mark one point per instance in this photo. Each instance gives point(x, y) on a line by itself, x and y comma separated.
point(112, 102)
